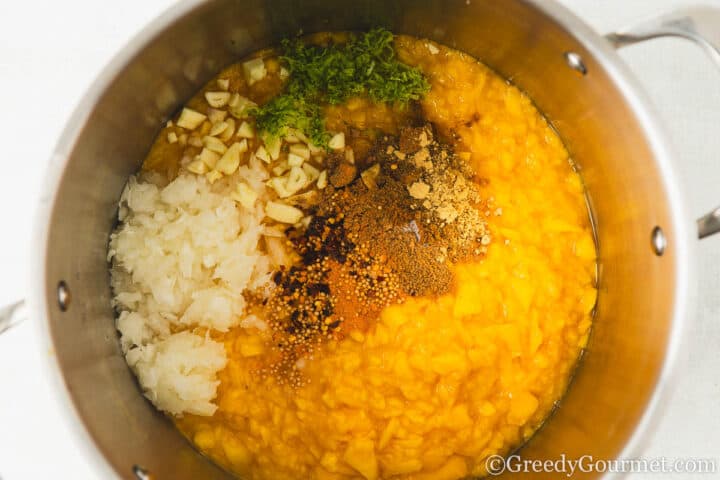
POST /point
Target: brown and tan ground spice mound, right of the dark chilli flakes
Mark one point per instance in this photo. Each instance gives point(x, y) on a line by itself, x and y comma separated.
point(420, 208)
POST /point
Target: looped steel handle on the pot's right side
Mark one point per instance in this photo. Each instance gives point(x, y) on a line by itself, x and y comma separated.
point(701, 25)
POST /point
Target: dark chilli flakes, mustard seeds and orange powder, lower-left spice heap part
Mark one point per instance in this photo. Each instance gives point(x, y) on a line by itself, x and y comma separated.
point(337, 290)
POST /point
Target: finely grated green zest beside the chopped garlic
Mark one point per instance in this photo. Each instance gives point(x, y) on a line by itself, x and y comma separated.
point(365, 65)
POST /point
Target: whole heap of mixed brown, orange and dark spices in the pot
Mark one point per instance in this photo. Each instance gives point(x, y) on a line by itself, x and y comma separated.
point(386, 227)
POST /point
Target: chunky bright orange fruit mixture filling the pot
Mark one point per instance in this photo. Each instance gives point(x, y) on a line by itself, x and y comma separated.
point(436, 385)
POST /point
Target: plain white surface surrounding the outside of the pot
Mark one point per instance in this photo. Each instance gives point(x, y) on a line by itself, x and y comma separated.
point(50, 51)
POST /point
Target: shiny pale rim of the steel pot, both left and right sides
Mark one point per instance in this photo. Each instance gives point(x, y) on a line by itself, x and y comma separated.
point(40, 302)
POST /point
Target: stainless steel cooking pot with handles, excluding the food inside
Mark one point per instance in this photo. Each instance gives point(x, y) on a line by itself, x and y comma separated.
point(645, 237)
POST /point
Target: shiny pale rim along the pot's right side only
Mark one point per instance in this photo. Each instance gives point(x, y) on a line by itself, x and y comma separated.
point(682, 225)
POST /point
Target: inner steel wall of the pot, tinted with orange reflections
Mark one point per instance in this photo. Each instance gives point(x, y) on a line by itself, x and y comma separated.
point(620, 369)
